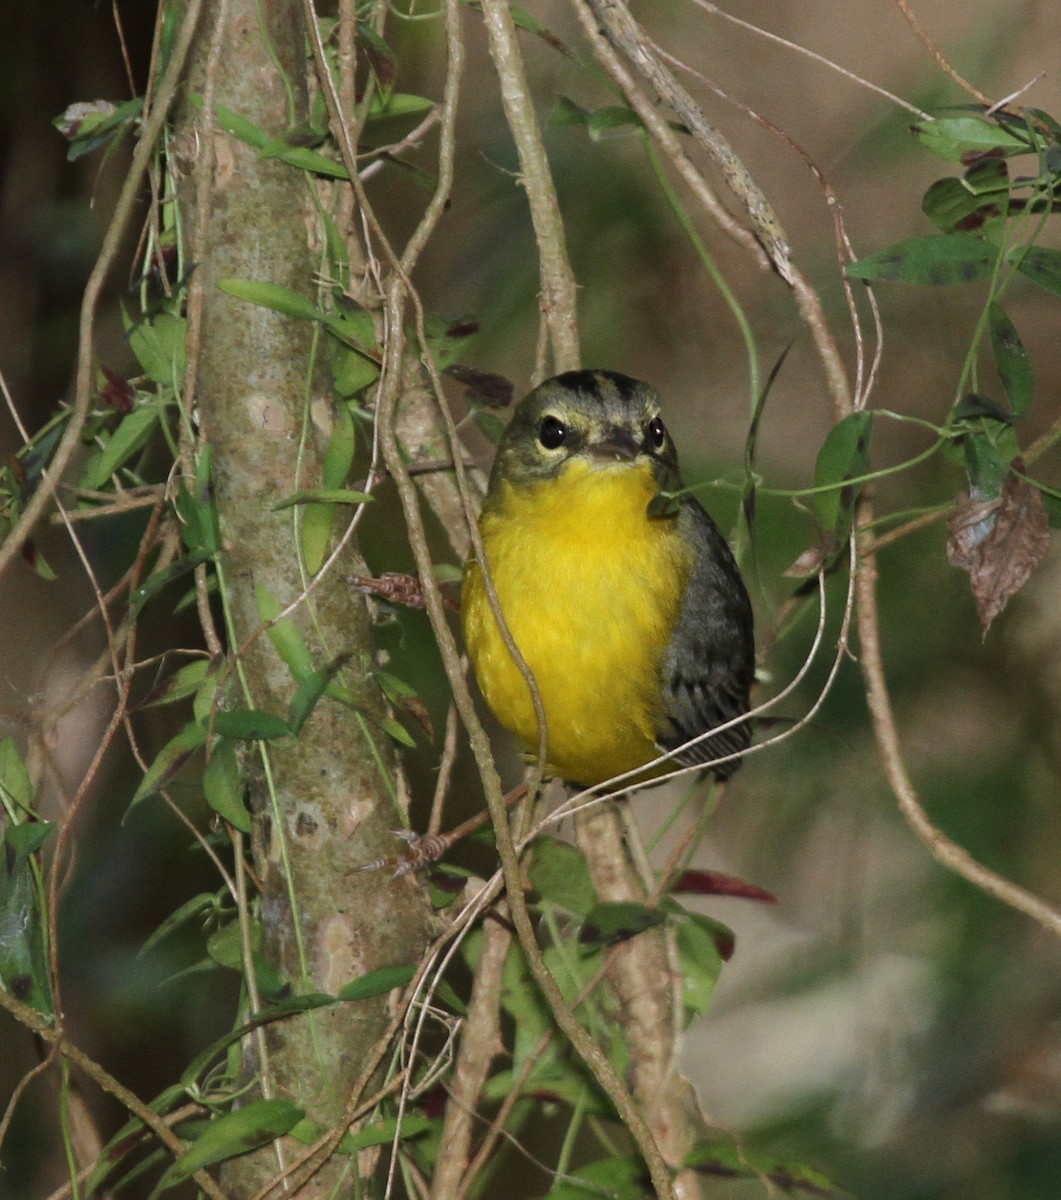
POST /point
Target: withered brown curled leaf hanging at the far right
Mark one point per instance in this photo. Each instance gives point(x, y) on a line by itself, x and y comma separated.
point(999, 543)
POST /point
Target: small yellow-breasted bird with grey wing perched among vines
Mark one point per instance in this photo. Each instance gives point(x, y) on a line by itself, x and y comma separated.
point(632, 616)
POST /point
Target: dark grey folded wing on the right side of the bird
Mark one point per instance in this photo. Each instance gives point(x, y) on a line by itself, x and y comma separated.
point(710, 663)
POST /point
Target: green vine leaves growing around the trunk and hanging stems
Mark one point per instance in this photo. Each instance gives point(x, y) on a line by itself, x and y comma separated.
point(141, 441)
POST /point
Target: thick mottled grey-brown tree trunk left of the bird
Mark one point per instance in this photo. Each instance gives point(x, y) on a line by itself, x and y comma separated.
point(323, 801)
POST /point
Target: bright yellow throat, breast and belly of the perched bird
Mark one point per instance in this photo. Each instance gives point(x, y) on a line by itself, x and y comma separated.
point(590, 589)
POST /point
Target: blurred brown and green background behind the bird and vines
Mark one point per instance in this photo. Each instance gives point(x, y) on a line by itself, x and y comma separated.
point(885, 1021)
